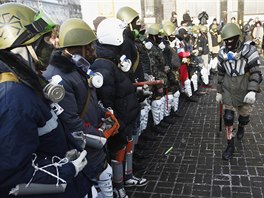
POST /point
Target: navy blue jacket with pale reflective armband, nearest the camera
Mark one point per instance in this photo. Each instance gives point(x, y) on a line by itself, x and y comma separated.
point(28, 126)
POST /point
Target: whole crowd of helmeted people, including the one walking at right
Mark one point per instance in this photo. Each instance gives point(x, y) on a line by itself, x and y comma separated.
point(77, 102)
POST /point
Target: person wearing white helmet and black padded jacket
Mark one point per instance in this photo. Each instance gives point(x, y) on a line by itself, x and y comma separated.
point(119, 94)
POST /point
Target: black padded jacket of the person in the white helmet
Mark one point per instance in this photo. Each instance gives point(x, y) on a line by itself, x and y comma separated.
point(117, 92)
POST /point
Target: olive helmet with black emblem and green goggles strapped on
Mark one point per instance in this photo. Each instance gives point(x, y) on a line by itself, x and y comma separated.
point(22, 25)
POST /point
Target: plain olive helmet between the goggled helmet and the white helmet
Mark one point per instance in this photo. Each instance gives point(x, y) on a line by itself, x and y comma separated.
point(75, 32)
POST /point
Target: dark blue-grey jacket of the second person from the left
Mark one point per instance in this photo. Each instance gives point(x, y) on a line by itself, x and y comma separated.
point(74, 81)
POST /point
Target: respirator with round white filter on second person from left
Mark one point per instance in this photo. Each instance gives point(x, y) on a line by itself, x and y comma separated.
point(94, 79)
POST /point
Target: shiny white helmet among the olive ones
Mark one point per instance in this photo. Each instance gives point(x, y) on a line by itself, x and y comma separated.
point(110, 31)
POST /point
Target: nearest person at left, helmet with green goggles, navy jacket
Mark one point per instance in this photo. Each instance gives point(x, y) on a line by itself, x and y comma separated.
point(38, 155)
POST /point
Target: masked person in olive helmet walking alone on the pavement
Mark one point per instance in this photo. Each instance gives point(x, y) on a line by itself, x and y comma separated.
point(238, 82)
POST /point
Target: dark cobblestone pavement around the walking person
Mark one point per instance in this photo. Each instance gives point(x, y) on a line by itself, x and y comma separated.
point(194, 168)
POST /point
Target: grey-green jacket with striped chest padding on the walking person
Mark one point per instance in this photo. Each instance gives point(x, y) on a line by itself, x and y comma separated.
point(239, 76)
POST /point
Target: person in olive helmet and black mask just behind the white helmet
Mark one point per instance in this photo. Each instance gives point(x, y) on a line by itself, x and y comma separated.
point(139, 72)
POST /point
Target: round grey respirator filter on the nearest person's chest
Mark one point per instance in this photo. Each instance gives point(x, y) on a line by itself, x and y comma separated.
point(54, 91)
